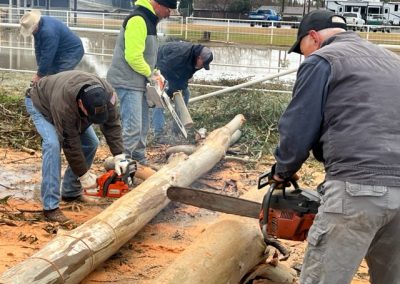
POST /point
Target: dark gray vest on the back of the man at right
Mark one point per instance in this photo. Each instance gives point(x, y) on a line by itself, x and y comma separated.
point(360, 131)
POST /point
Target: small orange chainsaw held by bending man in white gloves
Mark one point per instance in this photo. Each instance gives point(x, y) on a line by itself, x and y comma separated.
point(112, 185)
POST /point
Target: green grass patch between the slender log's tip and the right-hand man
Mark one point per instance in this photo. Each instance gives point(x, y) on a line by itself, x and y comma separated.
point(261, 110)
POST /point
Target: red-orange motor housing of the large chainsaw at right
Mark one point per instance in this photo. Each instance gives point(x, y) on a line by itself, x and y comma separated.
point(288, 224)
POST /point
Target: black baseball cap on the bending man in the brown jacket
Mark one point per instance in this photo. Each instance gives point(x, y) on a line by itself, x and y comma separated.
point(95, 99)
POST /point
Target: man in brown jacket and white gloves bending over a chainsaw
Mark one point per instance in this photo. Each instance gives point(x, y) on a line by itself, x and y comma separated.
point(63, 107)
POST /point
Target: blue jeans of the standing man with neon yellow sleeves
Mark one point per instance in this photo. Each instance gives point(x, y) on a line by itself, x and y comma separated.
point(135, 122)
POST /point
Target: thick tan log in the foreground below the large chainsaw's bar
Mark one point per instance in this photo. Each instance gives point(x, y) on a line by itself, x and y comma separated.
point(225, 253)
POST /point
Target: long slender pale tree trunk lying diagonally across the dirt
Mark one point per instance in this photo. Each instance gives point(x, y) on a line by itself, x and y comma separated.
point(72, 256)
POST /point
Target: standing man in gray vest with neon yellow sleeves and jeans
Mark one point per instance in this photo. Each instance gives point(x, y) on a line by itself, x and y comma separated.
point(133, 61)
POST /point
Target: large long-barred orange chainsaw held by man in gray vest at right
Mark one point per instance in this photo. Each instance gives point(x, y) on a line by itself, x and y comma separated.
point(285, 214)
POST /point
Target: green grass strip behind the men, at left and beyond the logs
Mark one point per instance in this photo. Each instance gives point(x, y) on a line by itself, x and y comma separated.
point(260, 108)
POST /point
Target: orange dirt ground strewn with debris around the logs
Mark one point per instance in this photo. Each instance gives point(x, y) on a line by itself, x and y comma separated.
point(23, 231)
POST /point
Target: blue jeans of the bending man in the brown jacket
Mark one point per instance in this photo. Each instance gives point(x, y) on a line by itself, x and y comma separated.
point(51, 160)
